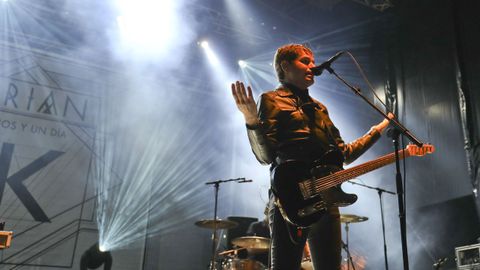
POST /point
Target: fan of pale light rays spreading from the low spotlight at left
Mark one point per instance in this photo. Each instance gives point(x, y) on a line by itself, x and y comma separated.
point(154, 183)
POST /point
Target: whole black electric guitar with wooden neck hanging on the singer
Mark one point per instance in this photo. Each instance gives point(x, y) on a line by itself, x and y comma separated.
point(303, 194)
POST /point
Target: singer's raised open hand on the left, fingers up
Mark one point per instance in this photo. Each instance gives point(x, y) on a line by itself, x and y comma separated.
point(245, 103)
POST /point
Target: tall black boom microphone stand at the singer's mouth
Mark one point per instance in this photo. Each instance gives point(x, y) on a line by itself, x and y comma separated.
point(400, 129)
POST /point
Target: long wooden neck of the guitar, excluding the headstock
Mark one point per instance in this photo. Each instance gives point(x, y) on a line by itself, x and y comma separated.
point(339, 177)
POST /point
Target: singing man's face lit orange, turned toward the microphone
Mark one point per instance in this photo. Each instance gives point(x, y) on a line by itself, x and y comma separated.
point(298, 71)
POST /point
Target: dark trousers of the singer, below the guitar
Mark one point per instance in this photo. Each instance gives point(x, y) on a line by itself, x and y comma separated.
point(287, 243)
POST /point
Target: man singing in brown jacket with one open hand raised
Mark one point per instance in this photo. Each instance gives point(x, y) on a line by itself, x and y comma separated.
point(288, 124)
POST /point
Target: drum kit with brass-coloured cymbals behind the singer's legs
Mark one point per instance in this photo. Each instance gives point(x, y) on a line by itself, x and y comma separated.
point(255, 245)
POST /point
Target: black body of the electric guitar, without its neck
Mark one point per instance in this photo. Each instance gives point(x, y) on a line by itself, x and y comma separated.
point(297, 209)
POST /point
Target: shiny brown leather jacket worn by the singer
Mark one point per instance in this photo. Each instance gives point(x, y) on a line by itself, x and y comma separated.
point(294, 127)
